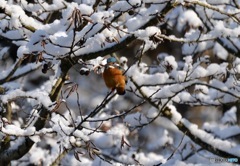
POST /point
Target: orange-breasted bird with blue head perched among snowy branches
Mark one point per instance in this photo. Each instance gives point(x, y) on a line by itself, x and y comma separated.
point(113, 76)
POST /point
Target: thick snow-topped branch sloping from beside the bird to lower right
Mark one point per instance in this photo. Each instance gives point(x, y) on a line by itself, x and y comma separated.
point(200, 137)
